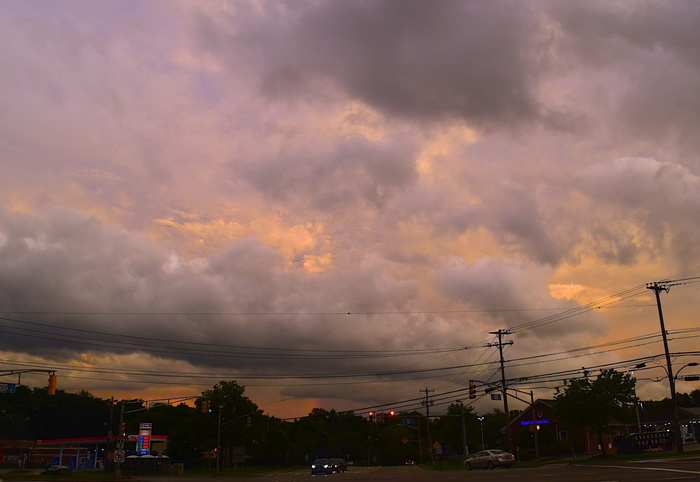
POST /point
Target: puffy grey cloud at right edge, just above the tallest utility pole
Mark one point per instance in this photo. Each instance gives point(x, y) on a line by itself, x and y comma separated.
point(658, 199)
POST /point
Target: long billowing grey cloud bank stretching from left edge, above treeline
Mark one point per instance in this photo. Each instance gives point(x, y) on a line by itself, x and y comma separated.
point(65, 270)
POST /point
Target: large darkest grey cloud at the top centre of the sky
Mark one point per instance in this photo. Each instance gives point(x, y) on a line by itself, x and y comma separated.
point(407, 58)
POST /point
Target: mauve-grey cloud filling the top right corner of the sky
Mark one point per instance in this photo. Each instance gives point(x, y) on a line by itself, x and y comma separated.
point(653, 48)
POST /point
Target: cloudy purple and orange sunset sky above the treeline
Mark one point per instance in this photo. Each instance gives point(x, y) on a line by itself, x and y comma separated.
point(337, 204)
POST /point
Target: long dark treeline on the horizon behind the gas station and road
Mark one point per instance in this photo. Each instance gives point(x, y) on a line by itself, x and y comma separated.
point(193, 432)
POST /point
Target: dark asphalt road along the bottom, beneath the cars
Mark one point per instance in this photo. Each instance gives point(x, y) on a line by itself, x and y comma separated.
point(656, 470)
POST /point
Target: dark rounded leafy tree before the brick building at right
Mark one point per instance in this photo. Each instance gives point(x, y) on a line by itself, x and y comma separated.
point(594, 404)
